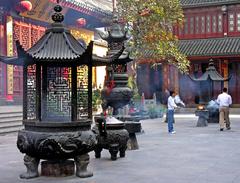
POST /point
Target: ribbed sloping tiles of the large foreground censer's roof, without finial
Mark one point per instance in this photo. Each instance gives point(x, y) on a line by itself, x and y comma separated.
point(57, 44)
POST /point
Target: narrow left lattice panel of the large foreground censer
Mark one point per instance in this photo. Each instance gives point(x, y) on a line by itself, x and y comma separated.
point(31, 92)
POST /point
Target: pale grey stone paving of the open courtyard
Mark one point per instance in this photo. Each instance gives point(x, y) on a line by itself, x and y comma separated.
point(192, 155)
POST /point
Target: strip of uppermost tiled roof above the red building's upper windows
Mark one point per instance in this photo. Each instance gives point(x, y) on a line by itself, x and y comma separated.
point(197, 3)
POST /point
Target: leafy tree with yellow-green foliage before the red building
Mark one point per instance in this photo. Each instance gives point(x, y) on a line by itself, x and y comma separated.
point(151, 24)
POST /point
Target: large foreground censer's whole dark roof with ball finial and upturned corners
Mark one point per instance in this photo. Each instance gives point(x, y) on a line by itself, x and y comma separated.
point(56, 45)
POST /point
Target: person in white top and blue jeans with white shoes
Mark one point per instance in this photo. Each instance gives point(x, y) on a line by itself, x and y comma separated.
point(170, 112)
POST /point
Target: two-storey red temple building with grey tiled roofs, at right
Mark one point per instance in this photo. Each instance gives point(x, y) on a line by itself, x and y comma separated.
point(211, 30)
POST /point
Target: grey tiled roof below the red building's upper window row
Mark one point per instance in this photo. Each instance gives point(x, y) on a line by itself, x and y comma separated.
point(211, 47)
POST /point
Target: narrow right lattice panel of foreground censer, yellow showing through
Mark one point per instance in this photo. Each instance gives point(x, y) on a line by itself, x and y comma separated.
point(82, 92)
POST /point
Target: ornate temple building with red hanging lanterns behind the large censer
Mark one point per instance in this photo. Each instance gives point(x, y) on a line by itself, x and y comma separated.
point(26, 21)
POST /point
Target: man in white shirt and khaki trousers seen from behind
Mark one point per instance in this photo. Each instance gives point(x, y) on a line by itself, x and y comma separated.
point(224, 100)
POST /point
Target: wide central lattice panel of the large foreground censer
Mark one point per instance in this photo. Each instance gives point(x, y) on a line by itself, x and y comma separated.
point(58, 104)
